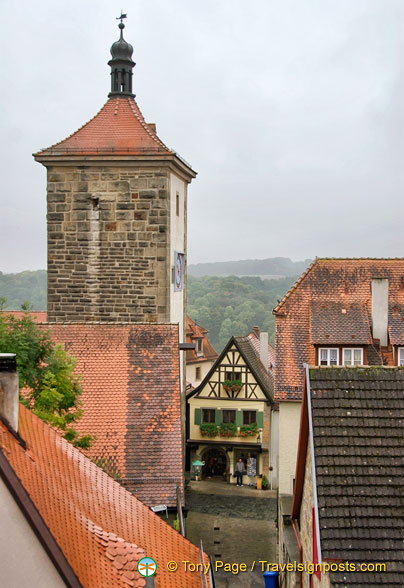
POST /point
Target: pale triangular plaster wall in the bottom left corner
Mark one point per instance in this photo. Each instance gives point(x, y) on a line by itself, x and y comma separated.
point(23, 561)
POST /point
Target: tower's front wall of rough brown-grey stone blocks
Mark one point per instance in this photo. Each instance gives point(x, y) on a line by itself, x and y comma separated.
point(108, 239)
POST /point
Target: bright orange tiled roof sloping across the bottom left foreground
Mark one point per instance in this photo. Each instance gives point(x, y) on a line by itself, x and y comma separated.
point(101, 528)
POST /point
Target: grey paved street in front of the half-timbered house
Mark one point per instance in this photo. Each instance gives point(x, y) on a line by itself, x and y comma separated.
point(236, 525)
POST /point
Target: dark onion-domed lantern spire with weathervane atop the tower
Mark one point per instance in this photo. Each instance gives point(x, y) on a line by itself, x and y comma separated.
point(121, 65)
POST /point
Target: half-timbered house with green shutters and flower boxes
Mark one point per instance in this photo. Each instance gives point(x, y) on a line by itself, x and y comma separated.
point(229, 413)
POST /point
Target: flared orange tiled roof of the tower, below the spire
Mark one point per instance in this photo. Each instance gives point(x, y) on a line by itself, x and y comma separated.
point(118, 128)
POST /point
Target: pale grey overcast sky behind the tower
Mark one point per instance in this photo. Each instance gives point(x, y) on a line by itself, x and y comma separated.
point(290, 111)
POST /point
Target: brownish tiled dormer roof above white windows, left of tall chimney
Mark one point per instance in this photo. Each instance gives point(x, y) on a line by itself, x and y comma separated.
point(338, 323)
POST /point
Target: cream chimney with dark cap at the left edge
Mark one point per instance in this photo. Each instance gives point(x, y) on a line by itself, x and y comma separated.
point(9, 390)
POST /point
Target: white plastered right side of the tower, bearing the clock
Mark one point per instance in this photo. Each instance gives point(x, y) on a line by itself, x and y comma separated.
point(177, 243)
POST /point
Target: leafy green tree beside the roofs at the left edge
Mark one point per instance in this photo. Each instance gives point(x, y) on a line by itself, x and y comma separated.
point(48, 384)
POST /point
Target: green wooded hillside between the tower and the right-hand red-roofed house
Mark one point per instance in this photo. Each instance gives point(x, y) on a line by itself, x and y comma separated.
point(229, 306)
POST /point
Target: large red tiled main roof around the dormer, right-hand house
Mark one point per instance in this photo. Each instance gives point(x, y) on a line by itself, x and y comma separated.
point(343, 282)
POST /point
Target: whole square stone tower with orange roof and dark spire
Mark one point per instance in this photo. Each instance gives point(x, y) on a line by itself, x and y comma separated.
point(117, 214)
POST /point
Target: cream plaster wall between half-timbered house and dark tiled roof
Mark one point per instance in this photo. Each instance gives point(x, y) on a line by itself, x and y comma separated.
point(289, 425)
